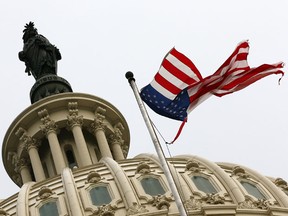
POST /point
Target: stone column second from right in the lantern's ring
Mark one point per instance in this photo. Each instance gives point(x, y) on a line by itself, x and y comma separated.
point(98, 127)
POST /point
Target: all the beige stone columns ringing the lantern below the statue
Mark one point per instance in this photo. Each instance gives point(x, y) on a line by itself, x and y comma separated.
point(109, 146)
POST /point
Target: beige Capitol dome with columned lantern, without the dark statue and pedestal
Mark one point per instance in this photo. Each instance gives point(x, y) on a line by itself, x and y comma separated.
point(108, 183)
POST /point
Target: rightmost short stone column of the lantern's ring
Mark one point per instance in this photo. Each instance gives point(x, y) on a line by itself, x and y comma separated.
point(117, 142)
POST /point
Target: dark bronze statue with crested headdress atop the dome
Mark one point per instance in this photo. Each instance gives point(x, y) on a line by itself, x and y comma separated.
point(39, 55)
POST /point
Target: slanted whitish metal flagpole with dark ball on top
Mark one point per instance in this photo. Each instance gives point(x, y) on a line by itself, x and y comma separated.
point(129, 75)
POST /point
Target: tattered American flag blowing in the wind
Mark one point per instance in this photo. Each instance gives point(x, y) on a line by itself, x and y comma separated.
point(178, 86)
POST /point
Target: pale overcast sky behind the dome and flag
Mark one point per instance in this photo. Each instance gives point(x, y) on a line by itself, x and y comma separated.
point(101, 40)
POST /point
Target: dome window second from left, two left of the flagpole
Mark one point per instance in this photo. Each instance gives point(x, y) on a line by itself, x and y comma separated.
point(100, 196)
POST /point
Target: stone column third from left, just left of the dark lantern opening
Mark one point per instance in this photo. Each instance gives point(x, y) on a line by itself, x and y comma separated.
point(49, 128)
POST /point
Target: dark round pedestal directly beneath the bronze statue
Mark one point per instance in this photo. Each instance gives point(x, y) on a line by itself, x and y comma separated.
point(48, 85)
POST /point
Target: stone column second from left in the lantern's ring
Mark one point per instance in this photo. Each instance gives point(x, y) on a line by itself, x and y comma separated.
point(31, 146)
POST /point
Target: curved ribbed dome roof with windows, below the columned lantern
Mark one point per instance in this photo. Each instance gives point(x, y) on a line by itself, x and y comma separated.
point(138, 186)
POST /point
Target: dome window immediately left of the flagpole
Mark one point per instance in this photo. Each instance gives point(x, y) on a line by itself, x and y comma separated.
point(152, 186)
